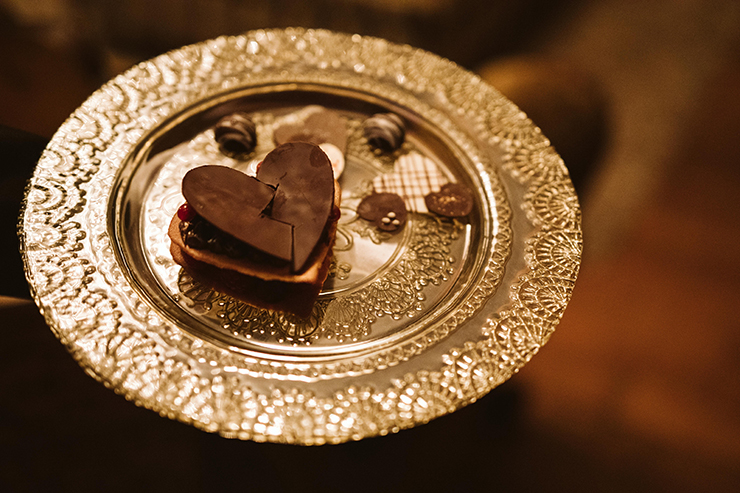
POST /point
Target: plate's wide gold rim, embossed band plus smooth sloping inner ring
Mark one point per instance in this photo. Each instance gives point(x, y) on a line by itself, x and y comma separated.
point(77, 272)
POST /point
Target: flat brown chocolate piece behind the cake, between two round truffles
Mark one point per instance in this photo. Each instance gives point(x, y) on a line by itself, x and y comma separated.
point(314, 124)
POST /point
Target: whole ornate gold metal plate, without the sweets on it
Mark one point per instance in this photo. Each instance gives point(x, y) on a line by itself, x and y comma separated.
point(408, 327)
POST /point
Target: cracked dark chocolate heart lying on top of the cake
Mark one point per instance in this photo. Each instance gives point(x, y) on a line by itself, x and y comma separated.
point(282, 211)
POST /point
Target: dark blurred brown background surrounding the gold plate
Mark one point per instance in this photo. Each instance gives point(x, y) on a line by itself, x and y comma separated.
point(638, 389)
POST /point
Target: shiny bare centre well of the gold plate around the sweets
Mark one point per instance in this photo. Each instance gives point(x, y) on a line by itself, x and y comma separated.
point(382, 287)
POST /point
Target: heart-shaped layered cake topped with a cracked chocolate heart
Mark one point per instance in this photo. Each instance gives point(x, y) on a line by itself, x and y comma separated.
point(265, 239)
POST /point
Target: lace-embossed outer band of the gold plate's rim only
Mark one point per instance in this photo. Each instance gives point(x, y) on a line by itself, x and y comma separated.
point(134, 361)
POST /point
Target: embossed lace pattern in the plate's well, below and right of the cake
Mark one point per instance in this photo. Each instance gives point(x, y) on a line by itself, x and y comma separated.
point(397, 294)
